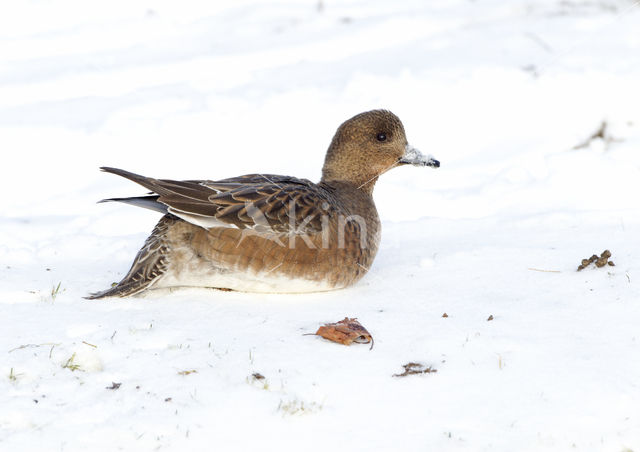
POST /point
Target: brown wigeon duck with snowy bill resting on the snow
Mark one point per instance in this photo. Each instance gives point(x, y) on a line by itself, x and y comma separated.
point(268, 233)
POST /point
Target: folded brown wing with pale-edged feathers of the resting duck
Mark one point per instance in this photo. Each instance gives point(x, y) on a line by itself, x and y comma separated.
point(263, 202)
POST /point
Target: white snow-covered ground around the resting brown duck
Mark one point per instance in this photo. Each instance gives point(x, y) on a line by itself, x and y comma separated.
point(500, 92)
